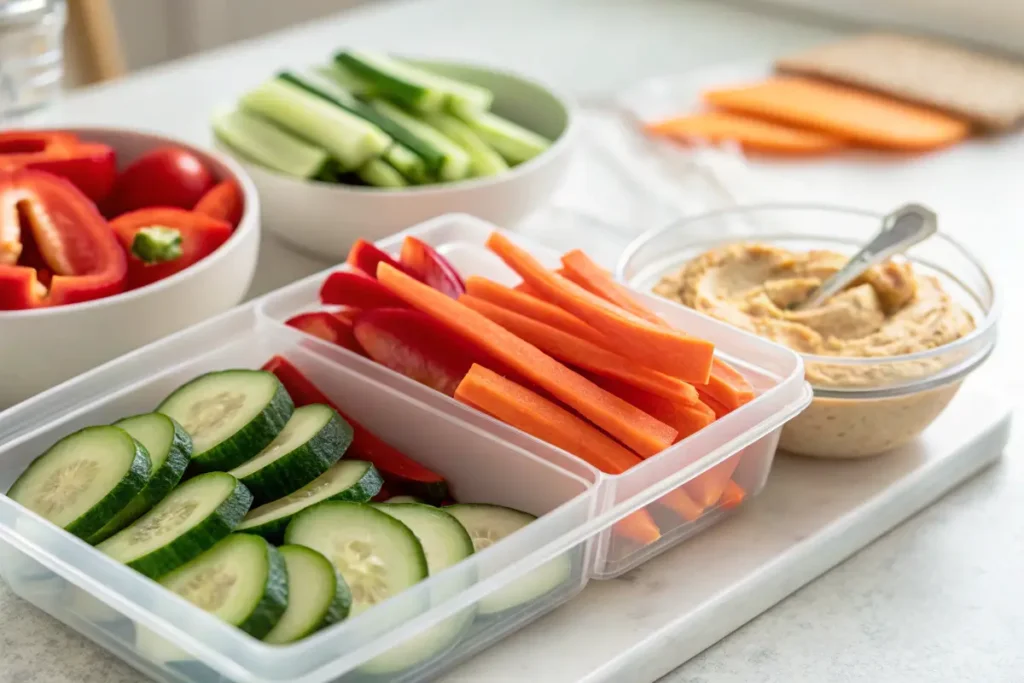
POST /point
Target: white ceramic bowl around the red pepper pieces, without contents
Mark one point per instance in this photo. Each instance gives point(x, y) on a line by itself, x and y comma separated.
point(40, 349)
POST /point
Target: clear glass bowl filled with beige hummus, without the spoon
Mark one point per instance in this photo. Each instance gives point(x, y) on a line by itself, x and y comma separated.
point(885, 357)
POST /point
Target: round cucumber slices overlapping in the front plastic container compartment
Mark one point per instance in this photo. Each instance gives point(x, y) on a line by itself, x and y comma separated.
point(172, 494)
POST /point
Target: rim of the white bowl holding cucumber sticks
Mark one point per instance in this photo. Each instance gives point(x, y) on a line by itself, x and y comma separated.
point(568, 105)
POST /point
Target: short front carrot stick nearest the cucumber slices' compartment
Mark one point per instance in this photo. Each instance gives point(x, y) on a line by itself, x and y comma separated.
point(525, 410)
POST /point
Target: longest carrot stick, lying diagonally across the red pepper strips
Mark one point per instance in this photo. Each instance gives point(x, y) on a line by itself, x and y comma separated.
point(639, 432)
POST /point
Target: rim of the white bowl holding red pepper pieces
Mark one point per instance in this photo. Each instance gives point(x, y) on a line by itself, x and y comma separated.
point(248, 224)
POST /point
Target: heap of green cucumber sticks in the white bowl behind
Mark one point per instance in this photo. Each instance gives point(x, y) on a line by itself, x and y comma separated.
point(373, 119)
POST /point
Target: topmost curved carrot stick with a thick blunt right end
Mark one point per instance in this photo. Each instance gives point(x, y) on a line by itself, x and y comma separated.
point(660, 348)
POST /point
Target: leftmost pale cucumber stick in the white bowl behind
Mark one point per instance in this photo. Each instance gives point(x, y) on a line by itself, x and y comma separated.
point(261, 142)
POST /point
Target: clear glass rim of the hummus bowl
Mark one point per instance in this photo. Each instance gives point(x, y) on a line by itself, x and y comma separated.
point(984, 329)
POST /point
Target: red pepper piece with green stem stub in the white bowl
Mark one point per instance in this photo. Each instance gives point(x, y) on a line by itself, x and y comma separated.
point(163, 242)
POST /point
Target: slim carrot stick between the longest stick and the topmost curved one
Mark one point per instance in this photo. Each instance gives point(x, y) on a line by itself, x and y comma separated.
point(582, 354)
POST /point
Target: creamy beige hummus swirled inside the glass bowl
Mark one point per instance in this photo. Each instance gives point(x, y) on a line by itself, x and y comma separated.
point(890, 311)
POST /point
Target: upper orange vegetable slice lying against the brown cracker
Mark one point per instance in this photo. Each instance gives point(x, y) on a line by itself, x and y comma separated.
point(857, 115)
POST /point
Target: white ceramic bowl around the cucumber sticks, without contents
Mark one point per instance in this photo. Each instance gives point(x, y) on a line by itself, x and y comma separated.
point(325, 219)
